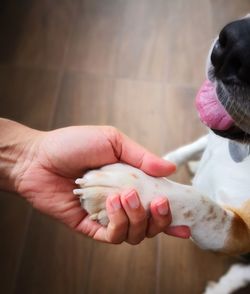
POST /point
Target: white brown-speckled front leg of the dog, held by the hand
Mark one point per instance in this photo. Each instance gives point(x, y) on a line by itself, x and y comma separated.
point(210, 223)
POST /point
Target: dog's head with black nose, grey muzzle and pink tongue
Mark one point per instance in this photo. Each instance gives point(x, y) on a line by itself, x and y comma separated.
point(223, 101)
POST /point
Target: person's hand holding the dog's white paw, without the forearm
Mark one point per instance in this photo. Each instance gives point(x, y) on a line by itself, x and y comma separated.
point(51, 161)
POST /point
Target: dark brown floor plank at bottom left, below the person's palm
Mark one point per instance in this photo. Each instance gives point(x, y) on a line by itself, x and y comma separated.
point(55, 259)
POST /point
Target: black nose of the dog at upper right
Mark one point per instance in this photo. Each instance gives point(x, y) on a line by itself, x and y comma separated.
point(231, 53)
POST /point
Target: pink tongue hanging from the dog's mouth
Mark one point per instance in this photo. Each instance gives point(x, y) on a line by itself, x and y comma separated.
point(210, 110)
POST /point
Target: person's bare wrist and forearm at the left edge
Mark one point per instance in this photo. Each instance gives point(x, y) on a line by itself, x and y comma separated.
point(15, 152)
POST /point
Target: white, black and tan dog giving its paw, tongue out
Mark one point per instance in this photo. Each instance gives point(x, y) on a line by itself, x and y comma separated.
point(217, 206)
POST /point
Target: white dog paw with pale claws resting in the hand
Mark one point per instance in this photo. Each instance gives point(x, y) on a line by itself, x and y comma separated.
point(96, 185)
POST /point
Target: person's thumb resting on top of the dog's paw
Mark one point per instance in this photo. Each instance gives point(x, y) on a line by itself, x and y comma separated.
point(128, 151)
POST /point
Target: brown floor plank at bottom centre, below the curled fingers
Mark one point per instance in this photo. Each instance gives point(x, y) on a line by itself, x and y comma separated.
point(123, 268)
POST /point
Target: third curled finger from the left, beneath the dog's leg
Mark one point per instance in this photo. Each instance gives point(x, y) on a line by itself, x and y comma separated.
point(160, 217)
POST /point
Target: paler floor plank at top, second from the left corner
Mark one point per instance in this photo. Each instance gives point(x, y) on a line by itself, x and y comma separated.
point(95, 37)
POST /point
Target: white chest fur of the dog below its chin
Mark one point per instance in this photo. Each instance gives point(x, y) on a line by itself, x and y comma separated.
point(219, 176)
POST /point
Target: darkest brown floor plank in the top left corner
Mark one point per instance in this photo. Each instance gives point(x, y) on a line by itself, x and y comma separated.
point(35, 33)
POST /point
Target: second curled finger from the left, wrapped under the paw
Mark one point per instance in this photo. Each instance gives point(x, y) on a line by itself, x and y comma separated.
point(136, 215)
